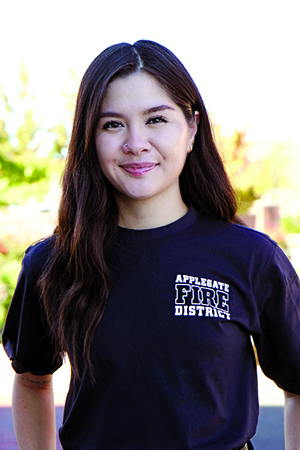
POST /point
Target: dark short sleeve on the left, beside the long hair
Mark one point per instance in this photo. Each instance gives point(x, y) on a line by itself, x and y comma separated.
point(26, 337)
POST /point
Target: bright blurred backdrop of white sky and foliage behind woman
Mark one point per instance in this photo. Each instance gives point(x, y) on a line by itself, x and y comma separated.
point(243, 56)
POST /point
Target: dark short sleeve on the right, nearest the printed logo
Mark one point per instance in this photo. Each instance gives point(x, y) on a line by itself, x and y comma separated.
point(278, 339)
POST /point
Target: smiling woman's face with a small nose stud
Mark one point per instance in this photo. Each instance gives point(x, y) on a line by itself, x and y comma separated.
point(142, 140)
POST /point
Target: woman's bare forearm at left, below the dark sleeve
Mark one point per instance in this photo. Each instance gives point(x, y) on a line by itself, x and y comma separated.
point(34, 412)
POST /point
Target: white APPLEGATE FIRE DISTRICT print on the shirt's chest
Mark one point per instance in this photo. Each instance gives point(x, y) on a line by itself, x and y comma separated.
point(201, 297)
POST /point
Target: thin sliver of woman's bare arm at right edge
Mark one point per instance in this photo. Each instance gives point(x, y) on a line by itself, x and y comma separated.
point(292, 421)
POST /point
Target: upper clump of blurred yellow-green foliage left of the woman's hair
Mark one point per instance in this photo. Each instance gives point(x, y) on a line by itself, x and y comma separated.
point(24, 174)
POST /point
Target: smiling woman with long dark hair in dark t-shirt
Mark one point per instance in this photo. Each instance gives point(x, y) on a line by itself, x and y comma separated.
point(149, 282)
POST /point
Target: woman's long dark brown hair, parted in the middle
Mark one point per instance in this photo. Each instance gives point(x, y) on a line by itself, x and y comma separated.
point(76, 281)
